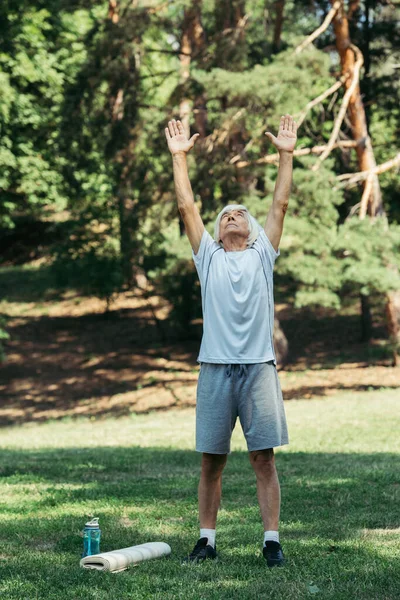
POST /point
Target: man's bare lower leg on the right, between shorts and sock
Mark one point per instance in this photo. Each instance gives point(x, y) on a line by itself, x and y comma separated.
point(268, 489)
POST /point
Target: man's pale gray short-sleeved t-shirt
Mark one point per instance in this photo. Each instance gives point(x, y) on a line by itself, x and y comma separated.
point(237, 300)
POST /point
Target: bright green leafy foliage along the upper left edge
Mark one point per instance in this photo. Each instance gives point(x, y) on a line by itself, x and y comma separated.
point(31, 78)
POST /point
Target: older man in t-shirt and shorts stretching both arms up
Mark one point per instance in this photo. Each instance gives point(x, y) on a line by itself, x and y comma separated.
point(238, 374)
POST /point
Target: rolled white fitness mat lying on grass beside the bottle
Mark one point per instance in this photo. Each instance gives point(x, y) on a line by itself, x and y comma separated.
point(119, 560)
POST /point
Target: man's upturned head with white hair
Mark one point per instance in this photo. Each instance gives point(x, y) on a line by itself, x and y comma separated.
point(235, 220)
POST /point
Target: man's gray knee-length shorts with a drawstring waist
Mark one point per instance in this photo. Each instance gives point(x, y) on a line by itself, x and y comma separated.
point(251, 392)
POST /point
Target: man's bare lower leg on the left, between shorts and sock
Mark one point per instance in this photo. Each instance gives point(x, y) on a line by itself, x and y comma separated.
point(210, 488)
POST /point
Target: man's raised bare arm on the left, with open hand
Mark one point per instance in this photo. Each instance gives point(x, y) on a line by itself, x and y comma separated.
point(179, 145)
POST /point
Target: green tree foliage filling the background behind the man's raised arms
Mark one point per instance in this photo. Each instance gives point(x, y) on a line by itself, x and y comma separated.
point(83, 106)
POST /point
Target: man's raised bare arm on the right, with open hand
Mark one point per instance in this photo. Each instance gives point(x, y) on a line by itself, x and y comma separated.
point(284, 143)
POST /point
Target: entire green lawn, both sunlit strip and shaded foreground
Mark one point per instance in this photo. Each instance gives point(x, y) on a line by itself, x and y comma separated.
point(339, 519)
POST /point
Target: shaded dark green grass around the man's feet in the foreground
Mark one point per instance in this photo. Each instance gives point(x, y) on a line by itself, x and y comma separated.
point(149, 494)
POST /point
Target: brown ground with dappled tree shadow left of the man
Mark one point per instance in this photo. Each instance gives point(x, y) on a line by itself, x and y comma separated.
point(61, 361)
